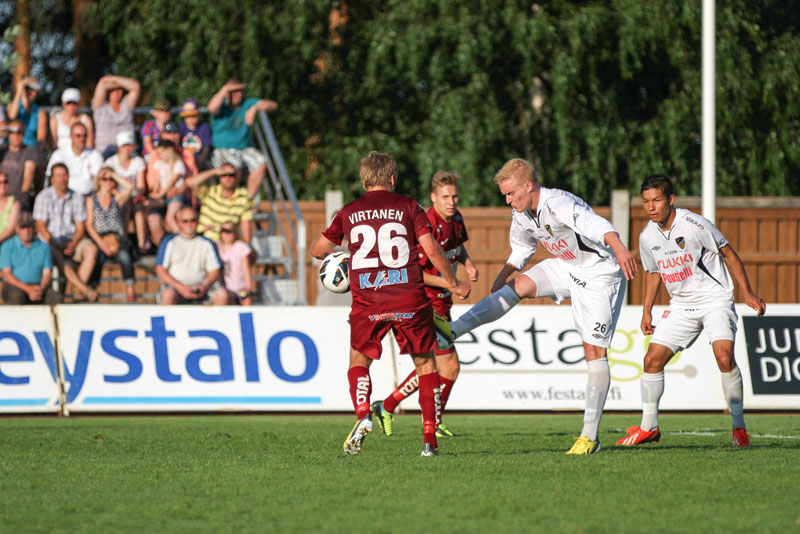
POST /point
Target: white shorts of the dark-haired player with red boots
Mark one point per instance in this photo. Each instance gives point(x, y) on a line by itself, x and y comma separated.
point(678, 328)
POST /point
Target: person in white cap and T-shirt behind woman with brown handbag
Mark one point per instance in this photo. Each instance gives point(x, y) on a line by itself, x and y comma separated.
point(131, 168)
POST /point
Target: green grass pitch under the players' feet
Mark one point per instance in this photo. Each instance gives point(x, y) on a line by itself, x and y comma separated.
point(289, 474)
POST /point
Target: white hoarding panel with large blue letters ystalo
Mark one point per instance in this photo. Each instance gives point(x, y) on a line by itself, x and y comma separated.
point(198, 358)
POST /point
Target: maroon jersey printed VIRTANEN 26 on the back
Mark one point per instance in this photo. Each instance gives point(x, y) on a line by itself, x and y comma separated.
point(383, 229)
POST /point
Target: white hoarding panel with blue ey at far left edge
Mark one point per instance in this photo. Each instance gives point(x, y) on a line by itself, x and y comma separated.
point(28, 371)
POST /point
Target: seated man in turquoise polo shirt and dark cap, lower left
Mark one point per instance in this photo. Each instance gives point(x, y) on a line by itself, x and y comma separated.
point(27, 267)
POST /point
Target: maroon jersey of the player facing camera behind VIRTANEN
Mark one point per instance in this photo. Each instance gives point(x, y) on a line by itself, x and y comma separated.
point(451, 235)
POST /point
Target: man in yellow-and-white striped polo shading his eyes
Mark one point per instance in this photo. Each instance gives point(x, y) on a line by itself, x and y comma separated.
point(222, 202)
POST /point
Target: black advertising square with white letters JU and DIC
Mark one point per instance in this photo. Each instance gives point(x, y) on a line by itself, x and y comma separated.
point(773, 351)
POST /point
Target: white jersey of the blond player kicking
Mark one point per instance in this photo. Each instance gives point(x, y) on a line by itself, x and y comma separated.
point(567, 227)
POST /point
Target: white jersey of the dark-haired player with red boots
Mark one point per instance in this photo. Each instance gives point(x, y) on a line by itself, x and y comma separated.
point(687, 257)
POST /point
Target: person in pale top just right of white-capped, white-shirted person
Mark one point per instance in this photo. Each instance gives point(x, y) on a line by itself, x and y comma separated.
point(166, 182)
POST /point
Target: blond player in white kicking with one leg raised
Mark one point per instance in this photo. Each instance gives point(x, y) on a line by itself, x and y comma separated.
point(591, 267)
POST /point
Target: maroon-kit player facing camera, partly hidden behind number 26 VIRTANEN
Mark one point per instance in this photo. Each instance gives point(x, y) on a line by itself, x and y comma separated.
point(451, 234)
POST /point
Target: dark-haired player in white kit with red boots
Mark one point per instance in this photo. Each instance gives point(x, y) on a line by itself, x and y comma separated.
point(695, 262)
